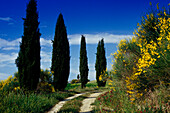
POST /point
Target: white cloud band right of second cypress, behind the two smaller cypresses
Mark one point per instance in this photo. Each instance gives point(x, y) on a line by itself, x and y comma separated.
point(94, 38)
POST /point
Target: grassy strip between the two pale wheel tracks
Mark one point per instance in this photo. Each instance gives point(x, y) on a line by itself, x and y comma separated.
point(73, 106)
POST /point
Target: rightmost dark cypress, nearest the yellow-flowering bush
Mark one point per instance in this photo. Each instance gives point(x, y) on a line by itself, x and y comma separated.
point(100, 65)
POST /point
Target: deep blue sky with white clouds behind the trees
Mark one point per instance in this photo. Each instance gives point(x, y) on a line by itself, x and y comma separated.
point(112, 20)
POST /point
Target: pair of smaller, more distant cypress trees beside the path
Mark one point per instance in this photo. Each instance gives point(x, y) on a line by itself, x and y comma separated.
point(100, 65)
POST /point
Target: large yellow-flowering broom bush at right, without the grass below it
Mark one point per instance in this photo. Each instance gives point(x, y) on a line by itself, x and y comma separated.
point(144, 62)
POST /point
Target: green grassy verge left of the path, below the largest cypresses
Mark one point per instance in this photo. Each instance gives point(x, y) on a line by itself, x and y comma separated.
point(34, 103)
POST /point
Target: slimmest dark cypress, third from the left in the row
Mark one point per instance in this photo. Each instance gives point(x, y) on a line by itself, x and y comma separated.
point(83, 63)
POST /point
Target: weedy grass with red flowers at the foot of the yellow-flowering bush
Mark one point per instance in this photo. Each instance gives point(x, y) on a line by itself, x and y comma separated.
point(116, 100)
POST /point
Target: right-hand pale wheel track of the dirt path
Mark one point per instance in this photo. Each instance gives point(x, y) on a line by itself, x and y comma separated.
point(86, 107)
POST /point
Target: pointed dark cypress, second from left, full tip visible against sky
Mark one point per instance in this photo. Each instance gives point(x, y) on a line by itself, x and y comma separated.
point(60, 55)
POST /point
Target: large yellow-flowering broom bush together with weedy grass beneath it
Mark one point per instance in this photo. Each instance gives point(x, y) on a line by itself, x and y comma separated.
point(142, 66)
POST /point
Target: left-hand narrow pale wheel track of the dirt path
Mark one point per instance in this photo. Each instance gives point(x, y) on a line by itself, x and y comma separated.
point(57, 107)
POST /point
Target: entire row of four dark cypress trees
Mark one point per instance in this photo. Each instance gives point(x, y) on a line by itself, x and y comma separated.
point(28, 60)
